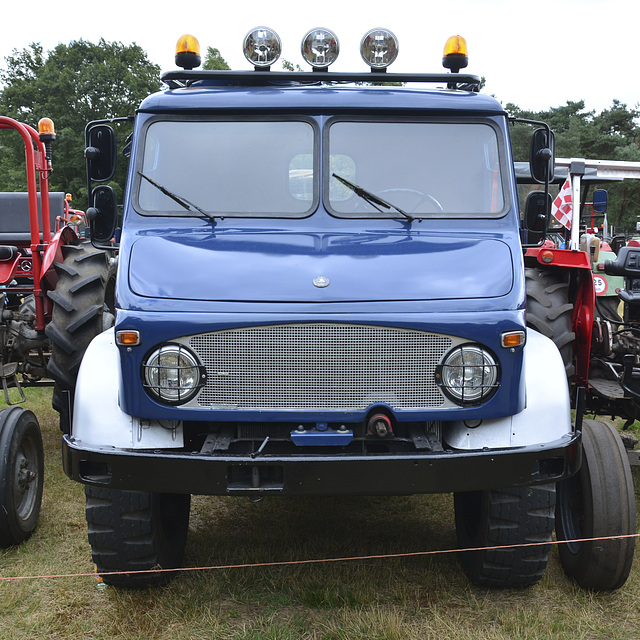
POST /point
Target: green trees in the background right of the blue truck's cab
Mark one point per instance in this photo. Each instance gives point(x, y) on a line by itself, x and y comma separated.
point(613, 134)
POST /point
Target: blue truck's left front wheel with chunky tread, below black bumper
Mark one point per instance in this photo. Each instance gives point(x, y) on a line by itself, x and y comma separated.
point(136, 531)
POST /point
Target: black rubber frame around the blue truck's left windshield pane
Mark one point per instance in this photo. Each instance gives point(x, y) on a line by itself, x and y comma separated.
point(180, 212)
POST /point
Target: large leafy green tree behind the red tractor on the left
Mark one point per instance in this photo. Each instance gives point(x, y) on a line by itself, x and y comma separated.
point(73, 84)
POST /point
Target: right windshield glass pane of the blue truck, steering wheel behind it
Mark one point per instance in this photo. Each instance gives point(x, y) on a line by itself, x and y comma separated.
point(430, 169)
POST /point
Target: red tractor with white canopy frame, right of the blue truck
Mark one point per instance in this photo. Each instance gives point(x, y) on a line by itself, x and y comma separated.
point(601, 353)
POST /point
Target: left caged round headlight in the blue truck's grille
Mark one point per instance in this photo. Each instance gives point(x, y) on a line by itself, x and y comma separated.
point(172, 374)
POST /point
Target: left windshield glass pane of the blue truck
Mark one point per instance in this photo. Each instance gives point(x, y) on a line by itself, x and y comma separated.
point(228, 168)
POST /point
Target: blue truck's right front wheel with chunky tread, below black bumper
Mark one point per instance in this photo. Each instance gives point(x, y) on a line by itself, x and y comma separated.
point(514, 516)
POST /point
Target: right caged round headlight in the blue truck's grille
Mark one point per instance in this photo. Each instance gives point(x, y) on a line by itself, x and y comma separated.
point(468, 375)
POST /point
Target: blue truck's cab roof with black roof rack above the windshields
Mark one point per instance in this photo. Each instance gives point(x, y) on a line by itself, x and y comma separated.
point(225, 90)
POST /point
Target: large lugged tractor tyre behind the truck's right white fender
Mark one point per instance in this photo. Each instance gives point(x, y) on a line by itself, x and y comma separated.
point(550, 313)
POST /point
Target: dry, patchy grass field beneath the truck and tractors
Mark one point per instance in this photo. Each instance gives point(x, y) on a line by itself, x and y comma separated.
point(375, 599)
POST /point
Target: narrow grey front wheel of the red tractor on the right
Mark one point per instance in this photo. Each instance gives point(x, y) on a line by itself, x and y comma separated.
point(598, 502)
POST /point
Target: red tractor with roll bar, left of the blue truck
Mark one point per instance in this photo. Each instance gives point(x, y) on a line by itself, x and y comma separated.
point(42, 259)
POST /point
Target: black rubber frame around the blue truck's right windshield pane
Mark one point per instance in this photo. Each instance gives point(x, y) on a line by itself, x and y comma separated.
point(462, 121)
